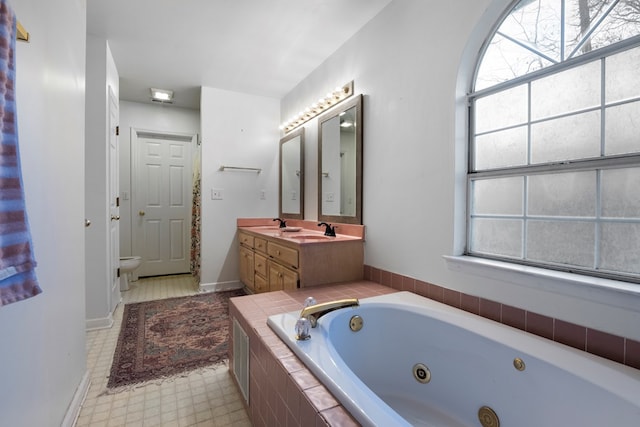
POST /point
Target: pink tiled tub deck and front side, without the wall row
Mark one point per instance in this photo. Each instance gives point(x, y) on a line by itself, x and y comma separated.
point(282, 391)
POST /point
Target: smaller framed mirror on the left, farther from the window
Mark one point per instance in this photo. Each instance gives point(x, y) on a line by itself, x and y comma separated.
point(292, 175)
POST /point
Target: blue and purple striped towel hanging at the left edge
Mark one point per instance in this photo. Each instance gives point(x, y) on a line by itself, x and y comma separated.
point(17, 263)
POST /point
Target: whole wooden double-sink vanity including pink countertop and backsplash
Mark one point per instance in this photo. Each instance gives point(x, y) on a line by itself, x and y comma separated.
point(272, 259)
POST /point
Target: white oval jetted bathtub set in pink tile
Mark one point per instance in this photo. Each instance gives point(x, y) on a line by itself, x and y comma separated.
point(418, 362)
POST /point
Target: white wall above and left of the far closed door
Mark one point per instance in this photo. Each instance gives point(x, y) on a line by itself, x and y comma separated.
point(158, 118)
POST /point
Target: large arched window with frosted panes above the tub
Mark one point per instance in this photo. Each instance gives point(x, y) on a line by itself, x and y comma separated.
point(554, 159)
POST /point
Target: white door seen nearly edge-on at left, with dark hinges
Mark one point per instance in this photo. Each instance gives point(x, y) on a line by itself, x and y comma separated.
point(114, 203)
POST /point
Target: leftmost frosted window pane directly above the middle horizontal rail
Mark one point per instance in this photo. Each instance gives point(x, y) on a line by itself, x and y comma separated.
point(501, 149)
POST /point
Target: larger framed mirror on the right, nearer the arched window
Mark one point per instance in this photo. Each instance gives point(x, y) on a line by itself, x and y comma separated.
point(340, 163)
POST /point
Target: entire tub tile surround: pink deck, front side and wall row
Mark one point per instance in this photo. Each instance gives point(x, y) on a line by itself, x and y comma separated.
point(282, 391)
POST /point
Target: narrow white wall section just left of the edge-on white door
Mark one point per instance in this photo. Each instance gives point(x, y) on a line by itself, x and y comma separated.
point(101, 75)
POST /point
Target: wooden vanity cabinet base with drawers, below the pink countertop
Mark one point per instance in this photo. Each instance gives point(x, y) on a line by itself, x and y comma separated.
point(270, 263)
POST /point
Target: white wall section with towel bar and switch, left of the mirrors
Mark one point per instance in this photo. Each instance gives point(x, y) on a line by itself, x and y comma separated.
point(237, 130)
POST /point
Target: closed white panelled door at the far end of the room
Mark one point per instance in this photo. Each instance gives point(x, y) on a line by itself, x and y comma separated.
point(161, 200)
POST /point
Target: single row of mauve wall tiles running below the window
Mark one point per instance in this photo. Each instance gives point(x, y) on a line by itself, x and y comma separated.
point(612, 347)
